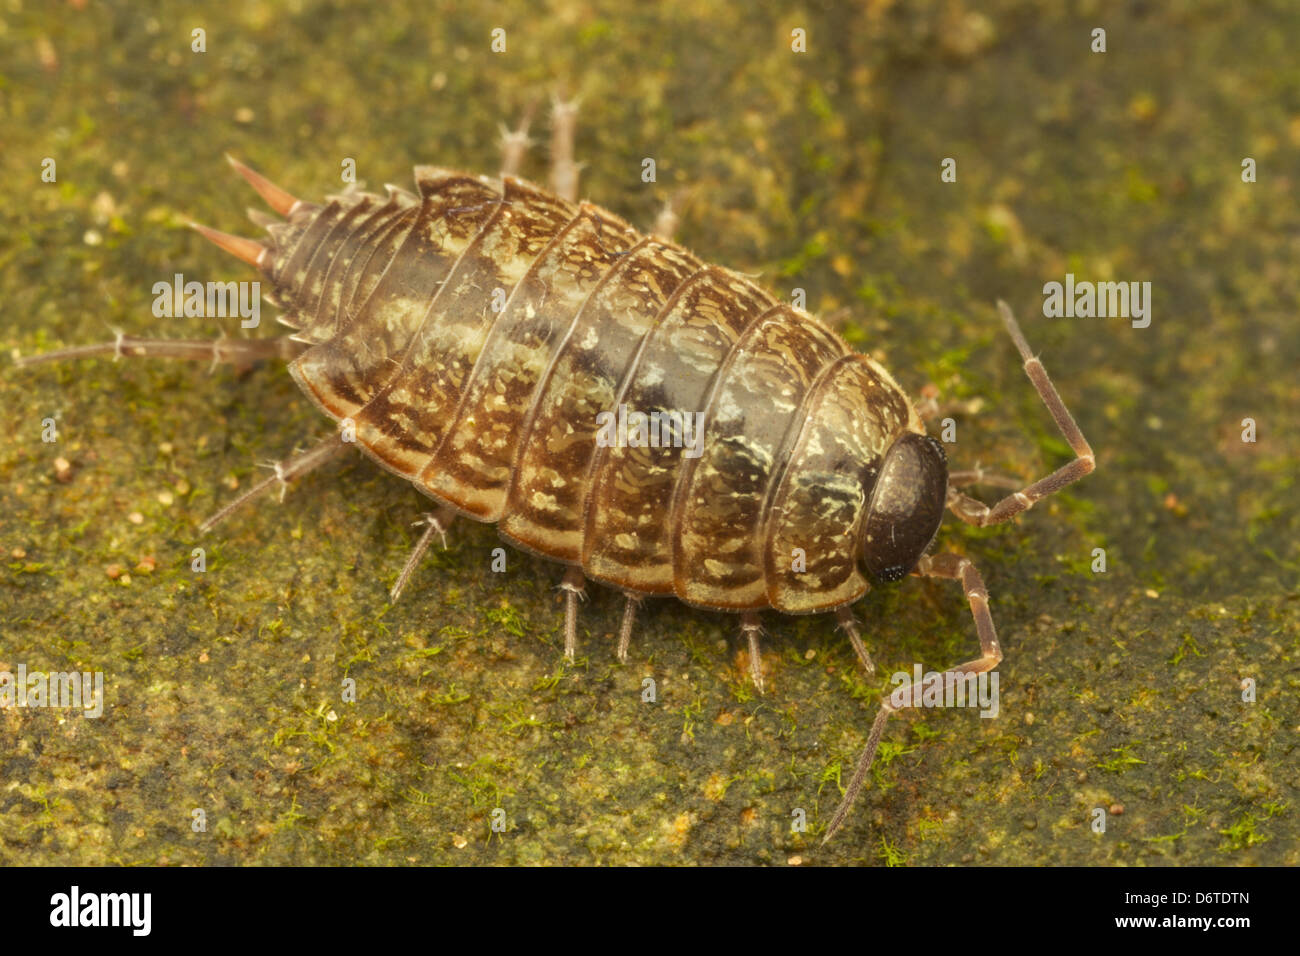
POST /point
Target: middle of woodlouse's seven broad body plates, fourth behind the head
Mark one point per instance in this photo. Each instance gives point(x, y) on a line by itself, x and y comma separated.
point(545, 509)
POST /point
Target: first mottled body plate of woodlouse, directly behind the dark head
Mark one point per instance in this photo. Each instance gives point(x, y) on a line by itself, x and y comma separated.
point(852, 416)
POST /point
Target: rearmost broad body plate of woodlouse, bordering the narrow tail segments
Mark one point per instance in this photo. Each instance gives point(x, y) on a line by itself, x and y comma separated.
point(346, 373)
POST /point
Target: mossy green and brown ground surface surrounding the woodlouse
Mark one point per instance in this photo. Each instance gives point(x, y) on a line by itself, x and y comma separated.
point(820, 171)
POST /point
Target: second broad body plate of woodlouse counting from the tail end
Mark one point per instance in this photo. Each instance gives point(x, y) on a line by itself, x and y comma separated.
point(404, 425)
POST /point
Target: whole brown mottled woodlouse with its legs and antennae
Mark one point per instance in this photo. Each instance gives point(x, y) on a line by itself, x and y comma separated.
point(471, 336)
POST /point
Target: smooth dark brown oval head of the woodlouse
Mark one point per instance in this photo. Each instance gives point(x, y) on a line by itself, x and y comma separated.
point(907, 507)
